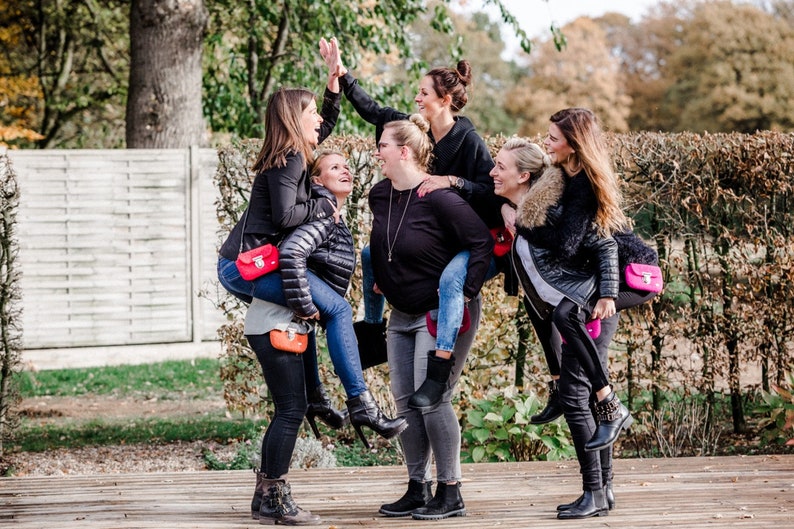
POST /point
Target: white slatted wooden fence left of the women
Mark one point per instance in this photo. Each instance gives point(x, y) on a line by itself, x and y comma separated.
point(115, 246)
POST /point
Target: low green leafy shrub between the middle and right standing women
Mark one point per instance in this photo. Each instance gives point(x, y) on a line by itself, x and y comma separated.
point(498, 429)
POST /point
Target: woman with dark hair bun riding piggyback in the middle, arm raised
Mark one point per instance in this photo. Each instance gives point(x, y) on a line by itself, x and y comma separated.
point(461, 162)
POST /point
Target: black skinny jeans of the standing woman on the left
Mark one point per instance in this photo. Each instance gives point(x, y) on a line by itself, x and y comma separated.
point(285, 378)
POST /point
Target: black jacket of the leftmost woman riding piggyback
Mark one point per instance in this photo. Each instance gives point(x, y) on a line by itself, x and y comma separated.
point(281, 197)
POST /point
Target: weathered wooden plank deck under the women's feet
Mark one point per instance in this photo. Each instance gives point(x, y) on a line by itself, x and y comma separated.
point(747, 492)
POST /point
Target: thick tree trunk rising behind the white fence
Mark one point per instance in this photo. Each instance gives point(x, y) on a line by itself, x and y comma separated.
point(164, 100)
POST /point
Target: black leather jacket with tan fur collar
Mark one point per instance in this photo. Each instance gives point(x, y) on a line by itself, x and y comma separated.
point(555, 219)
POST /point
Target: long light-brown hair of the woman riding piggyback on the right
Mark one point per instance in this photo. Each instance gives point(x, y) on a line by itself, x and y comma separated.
point(583, 133)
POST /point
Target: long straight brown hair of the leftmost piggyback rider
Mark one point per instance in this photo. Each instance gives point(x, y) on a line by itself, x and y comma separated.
point(283, 128)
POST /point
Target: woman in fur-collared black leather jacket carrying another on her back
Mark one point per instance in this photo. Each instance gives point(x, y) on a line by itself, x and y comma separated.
point(563, 262)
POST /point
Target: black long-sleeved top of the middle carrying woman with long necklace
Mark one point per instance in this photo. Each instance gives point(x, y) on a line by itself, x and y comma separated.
point(434, 229)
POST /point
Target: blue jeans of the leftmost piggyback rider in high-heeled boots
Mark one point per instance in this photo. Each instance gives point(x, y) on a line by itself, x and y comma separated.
point(336, 317)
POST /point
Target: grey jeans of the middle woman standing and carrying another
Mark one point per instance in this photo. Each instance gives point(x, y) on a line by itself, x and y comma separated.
point(435, 432)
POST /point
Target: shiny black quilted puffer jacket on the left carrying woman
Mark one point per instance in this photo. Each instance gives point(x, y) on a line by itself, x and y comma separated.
point(322, 246)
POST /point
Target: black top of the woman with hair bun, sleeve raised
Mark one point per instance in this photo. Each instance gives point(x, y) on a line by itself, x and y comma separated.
point(461, 152)
